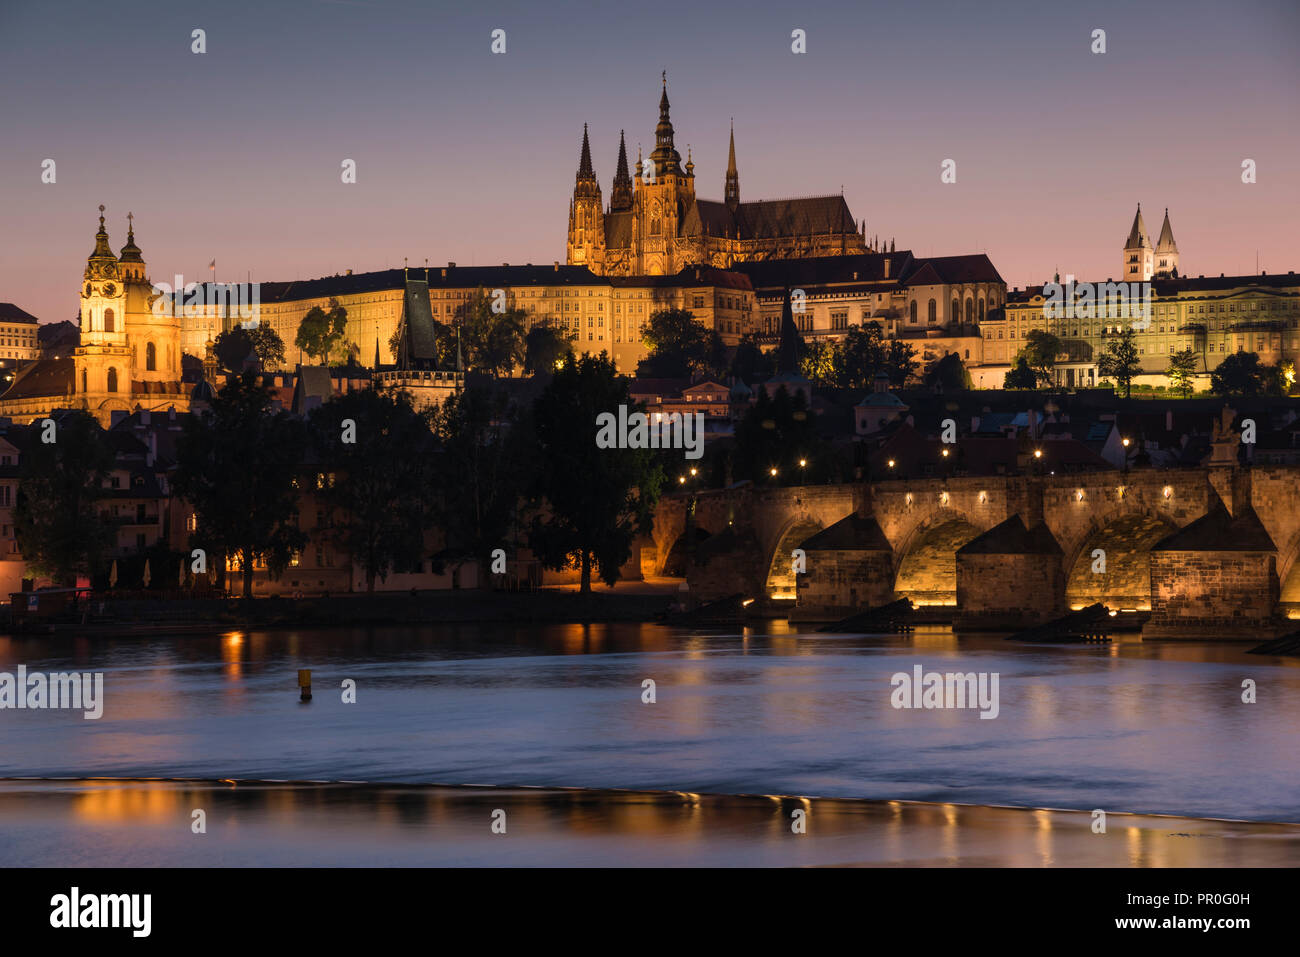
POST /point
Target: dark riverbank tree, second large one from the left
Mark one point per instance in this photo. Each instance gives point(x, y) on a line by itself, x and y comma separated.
point(237, 465)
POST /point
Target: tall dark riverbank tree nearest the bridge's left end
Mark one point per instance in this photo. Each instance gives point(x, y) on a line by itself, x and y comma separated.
point(597, 500)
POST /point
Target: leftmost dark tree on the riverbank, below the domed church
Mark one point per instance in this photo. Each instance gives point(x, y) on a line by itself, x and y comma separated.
point(57, 514)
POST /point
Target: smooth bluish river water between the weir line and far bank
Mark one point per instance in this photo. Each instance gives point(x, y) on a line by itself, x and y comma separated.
point(1151, 729)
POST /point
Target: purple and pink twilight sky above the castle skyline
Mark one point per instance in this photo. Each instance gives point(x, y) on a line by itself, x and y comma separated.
point(462, 155)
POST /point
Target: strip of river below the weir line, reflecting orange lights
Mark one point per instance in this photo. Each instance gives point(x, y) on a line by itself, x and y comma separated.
point(115, 822)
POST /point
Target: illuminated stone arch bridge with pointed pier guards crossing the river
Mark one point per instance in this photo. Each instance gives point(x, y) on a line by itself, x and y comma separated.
point(1210, 552)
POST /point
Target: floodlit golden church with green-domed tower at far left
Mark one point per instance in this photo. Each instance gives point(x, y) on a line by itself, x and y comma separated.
point(128, 360)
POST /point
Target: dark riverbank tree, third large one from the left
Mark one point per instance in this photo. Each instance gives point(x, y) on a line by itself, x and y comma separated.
point(379, 451)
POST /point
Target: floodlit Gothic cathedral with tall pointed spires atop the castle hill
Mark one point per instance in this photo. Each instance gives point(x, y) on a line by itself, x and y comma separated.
point(656, 226)
